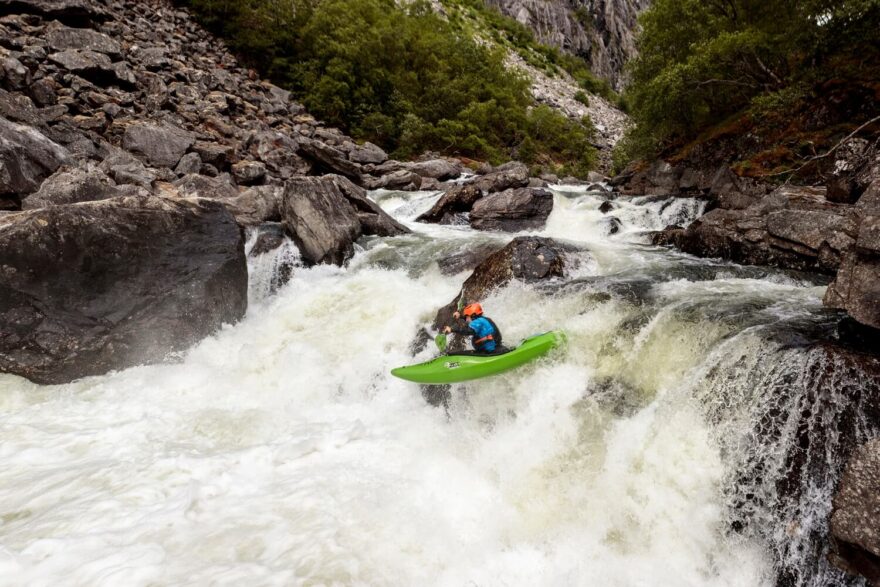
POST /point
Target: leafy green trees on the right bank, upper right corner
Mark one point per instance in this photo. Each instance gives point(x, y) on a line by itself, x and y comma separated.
point(706, 64)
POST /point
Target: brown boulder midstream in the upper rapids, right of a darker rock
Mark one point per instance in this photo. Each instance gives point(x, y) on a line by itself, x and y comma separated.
point(512, 210)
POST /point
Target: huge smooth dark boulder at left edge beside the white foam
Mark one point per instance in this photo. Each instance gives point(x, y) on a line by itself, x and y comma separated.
point(91, 287)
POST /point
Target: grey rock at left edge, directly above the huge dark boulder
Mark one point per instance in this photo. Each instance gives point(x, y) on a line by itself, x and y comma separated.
point(26, 158)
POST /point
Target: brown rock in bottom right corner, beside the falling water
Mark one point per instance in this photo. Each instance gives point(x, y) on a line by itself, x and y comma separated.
point(855, 522)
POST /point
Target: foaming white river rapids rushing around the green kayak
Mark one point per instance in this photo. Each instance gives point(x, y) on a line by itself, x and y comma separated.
point(281, 451)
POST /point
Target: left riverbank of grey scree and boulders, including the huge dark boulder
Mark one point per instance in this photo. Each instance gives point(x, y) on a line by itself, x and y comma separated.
point(131, 145)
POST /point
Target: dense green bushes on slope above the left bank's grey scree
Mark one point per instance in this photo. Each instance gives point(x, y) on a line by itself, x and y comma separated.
point(401, 77)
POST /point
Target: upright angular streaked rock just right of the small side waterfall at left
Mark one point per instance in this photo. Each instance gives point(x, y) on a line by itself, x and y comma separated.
point(320, 219)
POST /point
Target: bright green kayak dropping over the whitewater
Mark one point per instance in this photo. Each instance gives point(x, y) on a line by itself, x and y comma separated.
point(456, 368)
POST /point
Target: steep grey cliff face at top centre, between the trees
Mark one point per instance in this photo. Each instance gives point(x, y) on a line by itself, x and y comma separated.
point(600, 31)
